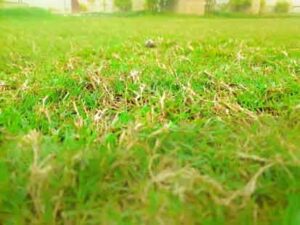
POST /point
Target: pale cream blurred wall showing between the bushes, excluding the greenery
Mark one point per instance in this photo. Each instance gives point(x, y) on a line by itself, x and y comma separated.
point(107, 6)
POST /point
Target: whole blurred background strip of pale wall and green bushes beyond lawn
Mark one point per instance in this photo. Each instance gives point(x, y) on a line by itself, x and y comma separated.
point(195, 7)
